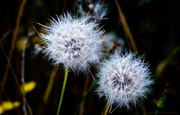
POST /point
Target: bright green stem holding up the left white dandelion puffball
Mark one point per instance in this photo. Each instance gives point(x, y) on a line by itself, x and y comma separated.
point(62, 92)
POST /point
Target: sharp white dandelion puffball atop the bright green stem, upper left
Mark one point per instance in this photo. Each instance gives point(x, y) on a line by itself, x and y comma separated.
point(74, 42)
